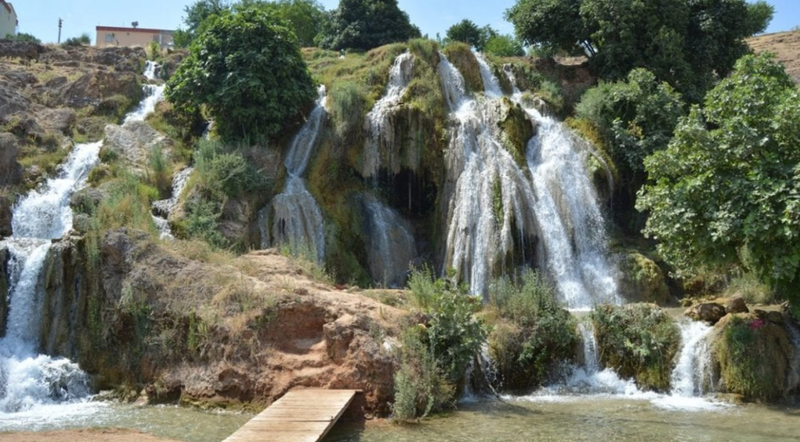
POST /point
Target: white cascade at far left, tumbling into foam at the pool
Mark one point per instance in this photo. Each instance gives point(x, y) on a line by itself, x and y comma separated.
point(28, 379)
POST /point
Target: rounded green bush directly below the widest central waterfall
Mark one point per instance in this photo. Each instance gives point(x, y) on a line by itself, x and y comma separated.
point(534, 332)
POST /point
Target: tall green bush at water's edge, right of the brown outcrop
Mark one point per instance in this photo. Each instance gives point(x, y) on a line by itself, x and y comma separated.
point(438, 345)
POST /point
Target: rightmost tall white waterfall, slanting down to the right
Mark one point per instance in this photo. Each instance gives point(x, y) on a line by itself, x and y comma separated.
point(569, 215)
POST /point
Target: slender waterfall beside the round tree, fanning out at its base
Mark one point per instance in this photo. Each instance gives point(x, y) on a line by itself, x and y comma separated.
point(294, 217)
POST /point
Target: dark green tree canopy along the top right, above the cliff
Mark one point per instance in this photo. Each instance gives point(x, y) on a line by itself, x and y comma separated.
point(688, 43)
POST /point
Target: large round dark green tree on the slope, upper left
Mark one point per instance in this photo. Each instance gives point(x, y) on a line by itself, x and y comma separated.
point(245, 66)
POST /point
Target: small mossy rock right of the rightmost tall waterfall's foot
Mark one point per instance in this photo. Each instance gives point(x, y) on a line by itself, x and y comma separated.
point(642, 280)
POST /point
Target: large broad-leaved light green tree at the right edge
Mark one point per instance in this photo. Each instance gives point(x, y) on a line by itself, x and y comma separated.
point(727, 189)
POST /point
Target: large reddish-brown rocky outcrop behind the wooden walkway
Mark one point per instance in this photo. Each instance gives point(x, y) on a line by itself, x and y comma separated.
point(207, 334)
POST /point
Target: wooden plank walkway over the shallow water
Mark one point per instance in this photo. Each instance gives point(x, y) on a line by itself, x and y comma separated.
point(299, 416)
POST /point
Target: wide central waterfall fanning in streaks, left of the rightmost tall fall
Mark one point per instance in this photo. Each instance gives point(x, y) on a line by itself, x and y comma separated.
point(491, 194)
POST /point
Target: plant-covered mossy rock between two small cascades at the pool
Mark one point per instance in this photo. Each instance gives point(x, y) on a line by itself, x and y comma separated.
point(639, 341)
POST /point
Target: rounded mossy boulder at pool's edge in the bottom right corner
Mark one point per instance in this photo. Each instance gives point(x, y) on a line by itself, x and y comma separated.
point(752, 356)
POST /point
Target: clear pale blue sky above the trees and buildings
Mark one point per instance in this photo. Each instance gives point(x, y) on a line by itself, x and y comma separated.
point(40, 17)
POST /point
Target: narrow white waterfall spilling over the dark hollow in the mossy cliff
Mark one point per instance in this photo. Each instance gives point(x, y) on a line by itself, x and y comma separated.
point(378, 119)
